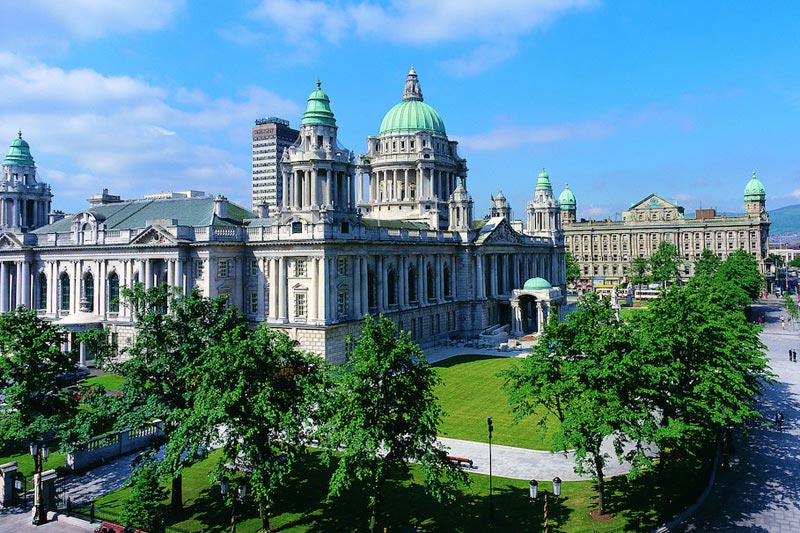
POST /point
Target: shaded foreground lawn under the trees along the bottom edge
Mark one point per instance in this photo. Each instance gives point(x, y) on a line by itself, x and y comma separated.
point(303, 505)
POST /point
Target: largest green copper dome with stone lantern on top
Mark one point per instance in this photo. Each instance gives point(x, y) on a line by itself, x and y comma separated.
point(412, 114)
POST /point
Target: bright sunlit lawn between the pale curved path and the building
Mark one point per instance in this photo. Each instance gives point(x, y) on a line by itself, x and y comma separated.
point(471, 391)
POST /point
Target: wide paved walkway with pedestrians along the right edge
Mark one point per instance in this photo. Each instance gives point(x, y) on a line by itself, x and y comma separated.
point(760, 491)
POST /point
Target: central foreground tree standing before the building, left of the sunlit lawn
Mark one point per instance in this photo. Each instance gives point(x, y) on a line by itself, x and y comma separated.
point(384, 414)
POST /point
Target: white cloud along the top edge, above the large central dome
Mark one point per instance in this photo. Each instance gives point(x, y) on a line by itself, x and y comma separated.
point(482, 23)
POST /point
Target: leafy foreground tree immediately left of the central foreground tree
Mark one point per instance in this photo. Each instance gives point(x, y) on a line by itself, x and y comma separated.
point(263, 391)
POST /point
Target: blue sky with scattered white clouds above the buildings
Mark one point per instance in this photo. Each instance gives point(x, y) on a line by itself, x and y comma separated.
point(618, 99)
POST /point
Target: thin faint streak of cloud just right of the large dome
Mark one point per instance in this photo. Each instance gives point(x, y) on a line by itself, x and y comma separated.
point(506, 137)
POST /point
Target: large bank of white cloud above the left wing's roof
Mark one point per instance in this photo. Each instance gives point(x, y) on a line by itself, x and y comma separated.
point(88, 131)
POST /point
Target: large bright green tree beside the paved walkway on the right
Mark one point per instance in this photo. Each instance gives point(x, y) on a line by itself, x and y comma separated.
point(698, 363)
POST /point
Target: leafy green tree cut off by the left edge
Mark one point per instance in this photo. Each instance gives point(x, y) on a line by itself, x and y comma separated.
point(33, 406)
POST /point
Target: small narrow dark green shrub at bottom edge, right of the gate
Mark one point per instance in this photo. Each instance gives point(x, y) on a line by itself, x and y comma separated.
point(143, 508)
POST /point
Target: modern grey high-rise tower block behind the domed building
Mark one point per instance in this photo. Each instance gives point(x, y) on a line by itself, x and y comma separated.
point(270, 137)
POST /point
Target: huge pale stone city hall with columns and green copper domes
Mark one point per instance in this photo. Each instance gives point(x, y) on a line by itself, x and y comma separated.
point(389, 232)
